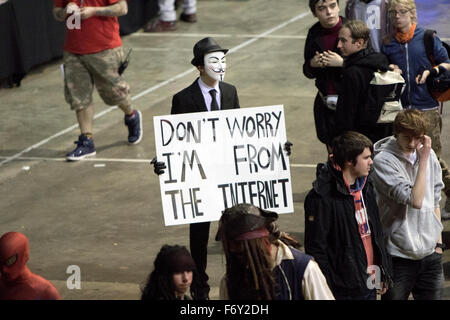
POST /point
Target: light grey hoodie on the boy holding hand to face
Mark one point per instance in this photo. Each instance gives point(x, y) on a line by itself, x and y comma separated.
point(410, 233)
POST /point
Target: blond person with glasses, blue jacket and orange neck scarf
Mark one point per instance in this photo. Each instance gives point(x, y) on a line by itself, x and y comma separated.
point(406, 49)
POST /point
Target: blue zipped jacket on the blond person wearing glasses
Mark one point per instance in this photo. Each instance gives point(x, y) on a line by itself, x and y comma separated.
point(412, 60)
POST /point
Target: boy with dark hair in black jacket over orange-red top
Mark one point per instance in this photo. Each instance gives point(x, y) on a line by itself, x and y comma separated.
point(342, 227)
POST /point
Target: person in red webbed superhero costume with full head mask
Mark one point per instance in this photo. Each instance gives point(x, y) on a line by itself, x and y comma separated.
point(17, 282)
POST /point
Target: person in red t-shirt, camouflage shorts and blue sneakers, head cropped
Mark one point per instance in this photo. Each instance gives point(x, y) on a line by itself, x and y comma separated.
point(92, 56)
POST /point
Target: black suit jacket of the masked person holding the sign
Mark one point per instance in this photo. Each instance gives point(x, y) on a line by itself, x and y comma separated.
point(191, 99)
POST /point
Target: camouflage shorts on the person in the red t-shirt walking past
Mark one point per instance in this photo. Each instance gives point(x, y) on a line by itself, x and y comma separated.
point(82, 72)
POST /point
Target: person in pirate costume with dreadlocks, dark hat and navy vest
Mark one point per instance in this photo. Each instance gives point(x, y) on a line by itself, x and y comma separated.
point(261, 261)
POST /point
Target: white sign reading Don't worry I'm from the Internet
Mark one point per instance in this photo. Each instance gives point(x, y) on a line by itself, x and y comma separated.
point(220, 158)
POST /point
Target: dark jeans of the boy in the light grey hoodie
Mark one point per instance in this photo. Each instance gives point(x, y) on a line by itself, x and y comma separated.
point(423, 278)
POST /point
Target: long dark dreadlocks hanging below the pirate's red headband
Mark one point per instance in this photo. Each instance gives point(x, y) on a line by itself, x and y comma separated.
point(249, 272)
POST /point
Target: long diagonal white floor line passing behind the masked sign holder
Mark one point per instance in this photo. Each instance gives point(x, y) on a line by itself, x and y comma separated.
point(156, 87)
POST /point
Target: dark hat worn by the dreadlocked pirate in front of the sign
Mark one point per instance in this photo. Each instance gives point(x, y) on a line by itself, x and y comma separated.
point(243, 218)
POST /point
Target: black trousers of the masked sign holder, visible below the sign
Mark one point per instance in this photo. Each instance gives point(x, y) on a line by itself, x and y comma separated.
point(198, 242)
